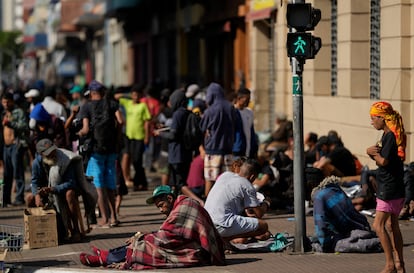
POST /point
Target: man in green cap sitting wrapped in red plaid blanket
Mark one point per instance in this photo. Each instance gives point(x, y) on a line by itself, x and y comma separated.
point(186, 238)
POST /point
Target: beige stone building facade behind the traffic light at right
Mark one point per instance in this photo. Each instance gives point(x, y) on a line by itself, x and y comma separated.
point(367, 55)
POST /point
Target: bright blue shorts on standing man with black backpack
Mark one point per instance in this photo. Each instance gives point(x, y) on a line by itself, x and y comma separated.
point(102, 168)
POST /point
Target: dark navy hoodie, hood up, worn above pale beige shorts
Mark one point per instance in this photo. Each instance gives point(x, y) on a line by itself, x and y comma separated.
point(218, 122)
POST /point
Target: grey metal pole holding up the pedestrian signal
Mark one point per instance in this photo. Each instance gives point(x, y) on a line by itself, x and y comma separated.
point(298, 155)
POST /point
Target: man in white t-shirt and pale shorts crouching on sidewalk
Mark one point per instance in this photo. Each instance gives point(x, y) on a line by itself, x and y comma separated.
point(232, 195)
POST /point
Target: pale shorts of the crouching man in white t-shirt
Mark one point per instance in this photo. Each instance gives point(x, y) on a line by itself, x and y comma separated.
point(240, 225)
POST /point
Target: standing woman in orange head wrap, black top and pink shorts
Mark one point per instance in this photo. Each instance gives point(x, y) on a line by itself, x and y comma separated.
point(389, 154)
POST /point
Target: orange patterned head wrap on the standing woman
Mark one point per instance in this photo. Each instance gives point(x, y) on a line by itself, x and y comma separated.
point(394, 122)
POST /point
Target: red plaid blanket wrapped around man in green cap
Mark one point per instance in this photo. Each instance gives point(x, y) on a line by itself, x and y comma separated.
point(186, 238)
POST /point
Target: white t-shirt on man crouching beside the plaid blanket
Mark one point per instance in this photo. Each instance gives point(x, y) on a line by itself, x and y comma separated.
point(230, 195)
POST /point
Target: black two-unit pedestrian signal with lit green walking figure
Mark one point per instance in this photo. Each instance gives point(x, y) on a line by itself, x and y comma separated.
point(301, 44)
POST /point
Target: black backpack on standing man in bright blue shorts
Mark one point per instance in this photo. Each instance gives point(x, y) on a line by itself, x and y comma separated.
point(103, 127)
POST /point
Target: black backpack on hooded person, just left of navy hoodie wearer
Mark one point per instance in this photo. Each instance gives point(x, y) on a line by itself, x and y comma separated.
point(192, 135)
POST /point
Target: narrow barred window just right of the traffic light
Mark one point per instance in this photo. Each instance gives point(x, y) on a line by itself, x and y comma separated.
point(334, 48)
